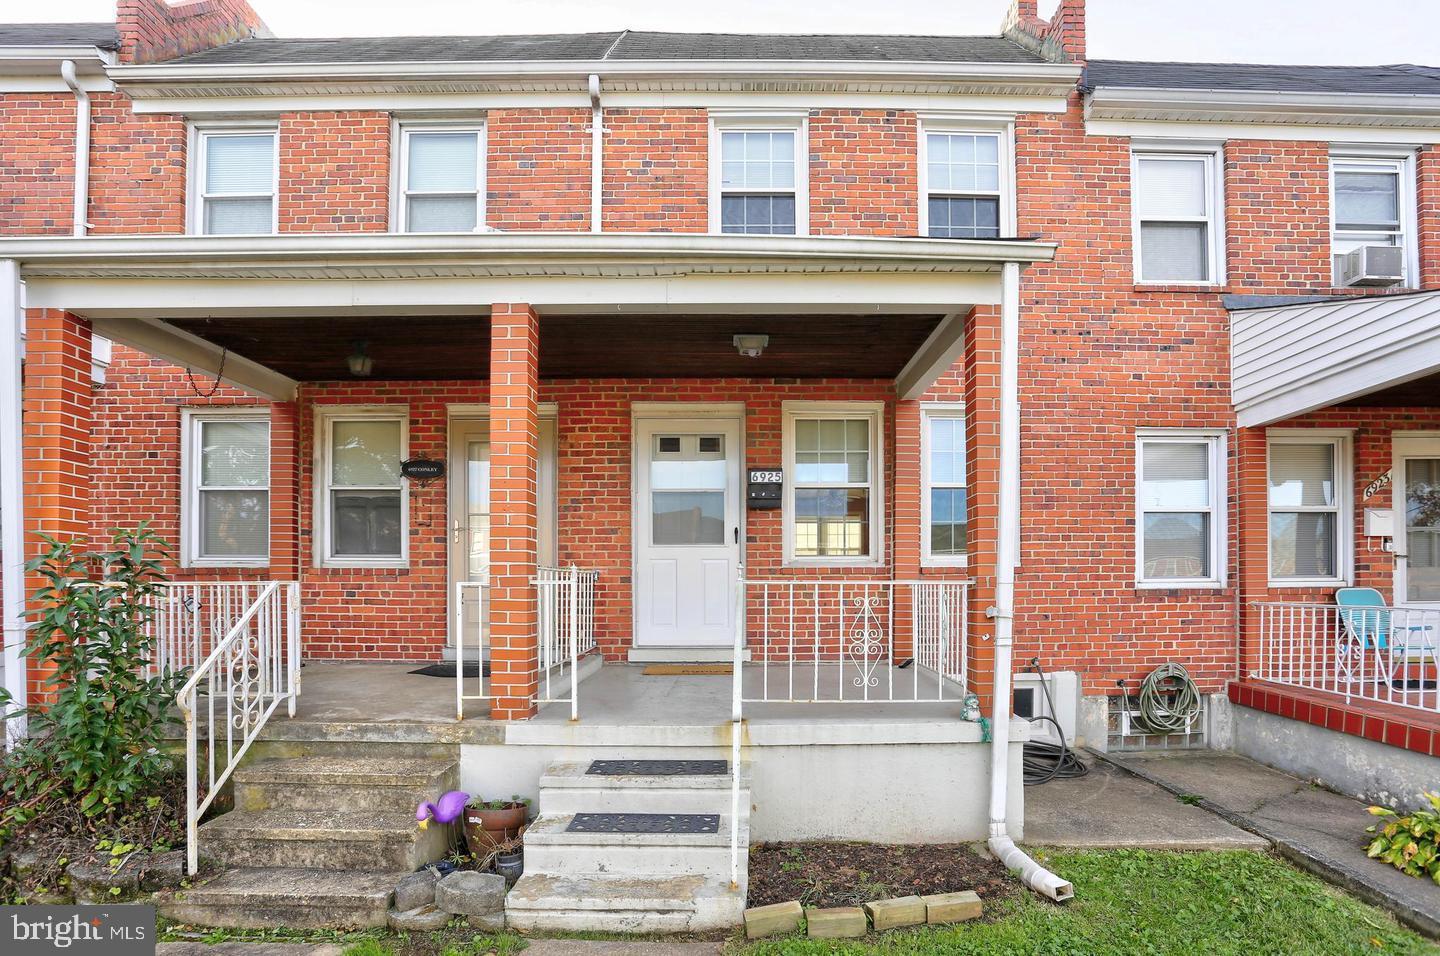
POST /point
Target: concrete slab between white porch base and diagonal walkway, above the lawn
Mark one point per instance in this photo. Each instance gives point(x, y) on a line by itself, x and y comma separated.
point(1114, 808)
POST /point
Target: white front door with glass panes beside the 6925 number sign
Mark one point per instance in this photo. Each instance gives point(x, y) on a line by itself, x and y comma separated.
point(688, 531)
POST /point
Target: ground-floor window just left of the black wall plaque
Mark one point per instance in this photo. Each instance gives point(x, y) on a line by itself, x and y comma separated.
point(362, 495)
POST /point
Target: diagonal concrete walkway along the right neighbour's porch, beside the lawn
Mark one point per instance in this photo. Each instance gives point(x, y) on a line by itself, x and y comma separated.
point(1314, 829)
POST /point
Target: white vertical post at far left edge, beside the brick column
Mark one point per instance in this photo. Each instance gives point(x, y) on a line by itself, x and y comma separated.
point(12, 490)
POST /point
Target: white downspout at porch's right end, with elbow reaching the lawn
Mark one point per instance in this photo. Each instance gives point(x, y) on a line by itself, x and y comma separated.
point(1007, 556)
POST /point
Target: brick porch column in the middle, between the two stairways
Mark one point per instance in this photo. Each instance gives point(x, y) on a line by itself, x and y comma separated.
point(515, 444)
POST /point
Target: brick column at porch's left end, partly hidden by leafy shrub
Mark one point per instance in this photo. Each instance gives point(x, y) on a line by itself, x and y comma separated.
point(58, 401)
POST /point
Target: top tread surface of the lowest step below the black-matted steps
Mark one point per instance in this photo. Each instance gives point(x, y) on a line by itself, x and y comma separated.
point(613, 892)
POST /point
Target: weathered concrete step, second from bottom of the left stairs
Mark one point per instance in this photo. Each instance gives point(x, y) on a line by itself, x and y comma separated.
point(329, 840)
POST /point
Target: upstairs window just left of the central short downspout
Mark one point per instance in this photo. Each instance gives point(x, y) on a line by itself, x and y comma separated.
point(443, 175)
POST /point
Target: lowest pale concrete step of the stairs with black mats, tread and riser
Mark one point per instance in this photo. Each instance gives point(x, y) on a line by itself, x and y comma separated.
point(623, 903)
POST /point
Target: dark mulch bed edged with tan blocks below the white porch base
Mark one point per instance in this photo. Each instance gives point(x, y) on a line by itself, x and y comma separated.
point(850, 875)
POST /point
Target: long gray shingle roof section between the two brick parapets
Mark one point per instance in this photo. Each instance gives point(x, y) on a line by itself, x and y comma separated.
point(629, 45)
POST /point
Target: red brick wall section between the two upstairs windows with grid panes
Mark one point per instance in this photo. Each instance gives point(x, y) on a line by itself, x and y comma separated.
point(863, 173)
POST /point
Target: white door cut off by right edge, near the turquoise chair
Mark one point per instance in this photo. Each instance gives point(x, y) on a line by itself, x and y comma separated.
point(1416, 482)
